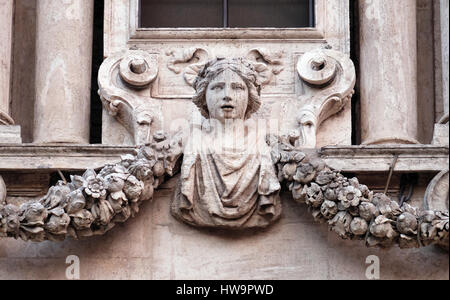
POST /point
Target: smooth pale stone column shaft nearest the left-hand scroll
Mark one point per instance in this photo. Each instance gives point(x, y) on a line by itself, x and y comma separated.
point(63, 71)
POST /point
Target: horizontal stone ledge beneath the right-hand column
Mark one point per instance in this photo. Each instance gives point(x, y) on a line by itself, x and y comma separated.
point(411, 158)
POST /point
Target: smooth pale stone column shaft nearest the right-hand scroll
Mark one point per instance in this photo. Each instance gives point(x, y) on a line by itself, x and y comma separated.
point(388, 71)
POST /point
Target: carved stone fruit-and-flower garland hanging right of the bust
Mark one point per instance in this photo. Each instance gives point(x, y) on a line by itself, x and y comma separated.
point(350, 208)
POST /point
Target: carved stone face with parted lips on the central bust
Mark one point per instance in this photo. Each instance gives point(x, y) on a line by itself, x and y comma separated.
point(227, 97)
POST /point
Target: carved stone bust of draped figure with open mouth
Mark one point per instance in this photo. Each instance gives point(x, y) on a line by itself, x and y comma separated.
point(224, 184)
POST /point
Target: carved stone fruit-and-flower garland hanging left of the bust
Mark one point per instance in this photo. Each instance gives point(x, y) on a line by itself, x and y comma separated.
point(93, 203)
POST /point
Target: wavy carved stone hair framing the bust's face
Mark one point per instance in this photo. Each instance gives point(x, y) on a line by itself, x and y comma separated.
point(240, 66)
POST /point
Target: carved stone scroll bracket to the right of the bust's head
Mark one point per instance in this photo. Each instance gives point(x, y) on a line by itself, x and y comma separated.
point(329, 78)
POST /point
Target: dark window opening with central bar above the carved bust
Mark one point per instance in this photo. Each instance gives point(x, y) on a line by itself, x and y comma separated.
point(226, 13)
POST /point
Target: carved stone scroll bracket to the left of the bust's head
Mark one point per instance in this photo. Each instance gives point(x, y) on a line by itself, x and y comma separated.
point(120, 76)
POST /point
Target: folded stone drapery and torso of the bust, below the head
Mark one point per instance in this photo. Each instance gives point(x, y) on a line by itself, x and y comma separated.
point(228, 187)
